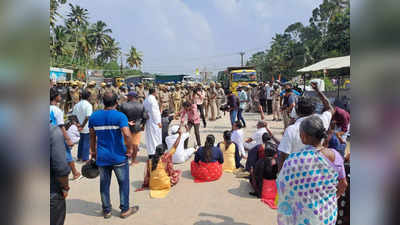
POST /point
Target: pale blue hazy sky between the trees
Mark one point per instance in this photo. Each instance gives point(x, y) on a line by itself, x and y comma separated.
point(179, 36)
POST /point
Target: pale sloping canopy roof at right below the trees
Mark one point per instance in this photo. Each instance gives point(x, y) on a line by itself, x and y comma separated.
point(331, 63)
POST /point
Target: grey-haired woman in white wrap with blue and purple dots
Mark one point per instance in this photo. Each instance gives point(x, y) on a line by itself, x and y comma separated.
point(311, 180)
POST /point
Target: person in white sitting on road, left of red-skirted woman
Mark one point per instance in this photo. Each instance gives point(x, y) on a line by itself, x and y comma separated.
point(181, 155)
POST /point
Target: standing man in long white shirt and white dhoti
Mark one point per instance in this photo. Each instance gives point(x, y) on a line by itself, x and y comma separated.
point(153, 124)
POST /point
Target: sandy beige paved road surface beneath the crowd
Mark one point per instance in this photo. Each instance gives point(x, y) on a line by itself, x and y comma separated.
point(223, 202)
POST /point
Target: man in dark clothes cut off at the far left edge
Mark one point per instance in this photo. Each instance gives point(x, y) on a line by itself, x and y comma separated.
point(59, 171)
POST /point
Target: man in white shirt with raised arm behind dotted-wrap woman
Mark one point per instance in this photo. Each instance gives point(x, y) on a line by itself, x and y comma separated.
point(291, 141)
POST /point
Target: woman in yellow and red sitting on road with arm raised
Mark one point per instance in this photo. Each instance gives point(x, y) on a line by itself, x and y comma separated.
point(160, 173)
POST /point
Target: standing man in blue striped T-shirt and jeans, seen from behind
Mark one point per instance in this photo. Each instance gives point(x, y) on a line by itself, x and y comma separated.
point(111, 145)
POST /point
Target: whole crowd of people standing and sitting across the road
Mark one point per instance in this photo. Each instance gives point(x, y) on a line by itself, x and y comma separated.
point(302, 175)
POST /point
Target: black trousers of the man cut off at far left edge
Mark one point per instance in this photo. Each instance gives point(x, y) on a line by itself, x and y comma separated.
point(57, 209)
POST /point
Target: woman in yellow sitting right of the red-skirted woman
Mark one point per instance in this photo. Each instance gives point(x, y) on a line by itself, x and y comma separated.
point(230, 152)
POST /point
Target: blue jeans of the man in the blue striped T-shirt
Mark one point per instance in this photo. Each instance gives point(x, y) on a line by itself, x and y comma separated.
point(122, 173)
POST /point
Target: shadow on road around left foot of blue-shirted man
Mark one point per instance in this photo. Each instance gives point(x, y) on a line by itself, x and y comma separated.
point(79, 206)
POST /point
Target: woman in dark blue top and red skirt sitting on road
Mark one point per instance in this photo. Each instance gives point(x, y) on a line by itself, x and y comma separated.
point(207, 164)
